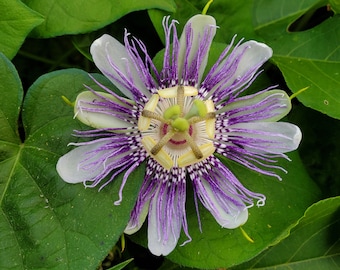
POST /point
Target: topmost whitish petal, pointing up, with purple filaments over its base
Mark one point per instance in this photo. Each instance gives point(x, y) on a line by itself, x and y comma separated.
point(199, 24)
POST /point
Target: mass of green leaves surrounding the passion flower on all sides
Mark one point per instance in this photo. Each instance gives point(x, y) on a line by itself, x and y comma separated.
point(46, 223)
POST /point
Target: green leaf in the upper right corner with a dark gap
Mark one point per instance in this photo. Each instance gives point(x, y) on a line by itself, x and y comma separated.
point(309, 58)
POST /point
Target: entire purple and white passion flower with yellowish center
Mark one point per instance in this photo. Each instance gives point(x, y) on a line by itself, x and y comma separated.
point(176, 120)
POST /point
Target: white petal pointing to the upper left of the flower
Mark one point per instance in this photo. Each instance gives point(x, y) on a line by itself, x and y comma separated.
point(107, 51)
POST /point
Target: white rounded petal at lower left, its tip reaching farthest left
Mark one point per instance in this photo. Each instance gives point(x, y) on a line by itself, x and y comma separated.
point(69, 168)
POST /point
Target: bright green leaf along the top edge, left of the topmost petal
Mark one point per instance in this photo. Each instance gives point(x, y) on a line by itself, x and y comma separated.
point(78, 16)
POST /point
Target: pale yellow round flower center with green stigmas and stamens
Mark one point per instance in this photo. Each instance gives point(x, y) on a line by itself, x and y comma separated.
point(177, 128)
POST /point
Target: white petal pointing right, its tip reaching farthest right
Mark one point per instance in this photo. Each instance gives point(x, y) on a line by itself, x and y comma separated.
point(274, 137)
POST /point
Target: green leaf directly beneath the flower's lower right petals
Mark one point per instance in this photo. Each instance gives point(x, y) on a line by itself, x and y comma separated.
point(286, 202)
